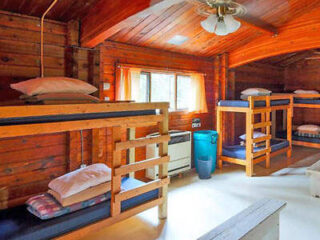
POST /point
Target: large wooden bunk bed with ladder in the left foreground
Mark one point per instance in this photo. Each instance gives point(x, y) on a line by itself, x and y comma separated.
point(129, 196)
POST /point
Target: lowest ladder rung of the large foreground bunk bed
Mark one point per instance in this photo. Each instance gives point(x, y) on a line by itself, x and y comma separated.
point(124, 195)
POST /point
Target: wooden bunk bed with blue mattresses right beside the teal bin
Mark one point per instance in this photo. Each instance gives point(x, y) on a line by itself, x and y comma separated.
point(249, 155)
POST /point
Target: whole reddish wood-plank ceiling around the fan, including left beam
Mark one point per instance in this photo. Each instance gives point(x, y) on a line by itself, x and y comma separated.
point(155, 28)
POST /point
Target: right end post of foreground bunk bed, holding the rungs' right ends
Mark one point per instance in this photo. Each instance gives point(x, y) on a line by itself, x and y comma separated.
point(163, 168)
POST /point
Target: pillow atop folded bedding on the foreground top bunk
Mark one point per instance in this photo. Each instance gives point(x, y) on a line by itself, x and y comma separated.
point(56, 90)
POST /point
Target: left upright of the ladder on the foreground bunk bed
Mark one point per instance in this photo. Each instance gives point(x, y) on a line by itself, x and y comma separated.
point(116, 180)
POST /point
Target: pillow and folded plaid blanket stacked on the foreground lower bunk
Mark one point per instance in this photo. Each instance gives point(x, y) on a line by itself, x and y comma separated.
point(73, 191)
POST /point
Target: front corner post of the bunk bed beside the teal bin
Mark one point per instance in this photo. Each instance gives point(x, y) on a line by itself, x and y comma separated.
point(249, 136)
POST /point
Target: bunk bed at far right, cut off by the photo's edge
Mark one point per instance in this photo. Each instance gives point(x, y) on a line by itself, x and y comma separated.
point(311, 101)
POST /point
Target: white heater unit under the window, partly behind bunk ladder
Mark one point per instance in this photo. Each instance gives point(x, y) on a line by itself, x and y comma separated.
point(179, 150)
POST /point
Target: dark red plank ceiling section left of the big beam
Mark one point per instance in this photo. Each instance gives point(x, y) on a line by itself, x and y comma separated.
point(64, 10)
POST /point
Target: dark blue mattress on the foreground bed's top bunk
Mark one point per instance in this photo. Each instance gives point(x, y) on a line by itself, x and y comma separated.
point(72, 117)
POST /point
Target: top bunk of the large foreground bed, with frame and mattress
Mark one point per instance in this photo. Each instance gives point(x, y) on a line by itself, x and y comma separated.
point(44, 119)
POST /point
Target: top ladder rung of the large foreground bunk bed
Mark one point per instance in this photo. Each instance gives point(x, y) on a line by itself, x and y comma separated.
point(141, 142)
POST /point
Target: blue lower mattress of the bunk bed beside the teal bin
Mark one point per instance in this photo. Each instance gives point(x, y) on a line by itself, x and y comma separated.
point(239, 152)
